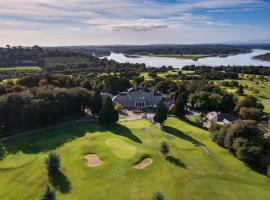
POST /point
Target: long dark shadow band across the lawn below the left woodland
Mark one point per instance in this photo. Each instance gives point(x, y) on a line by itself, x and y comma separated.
point(51, 139)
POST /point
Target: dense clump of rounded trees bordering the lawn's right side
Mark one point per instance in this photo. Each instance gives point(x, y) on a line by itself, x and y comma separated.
point(245, 140)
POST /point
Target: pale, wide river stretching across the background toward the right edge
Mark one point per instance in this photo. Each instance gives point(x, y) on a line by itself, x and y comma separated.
point(237, 60)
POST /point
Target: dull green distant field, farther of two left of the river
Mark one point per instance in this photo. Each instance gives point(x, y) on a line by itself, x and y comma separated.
point(52, 61)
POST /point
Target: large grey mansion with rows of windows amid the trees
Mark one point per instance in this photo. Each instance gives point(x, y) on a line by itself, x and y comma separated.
point(140, 98)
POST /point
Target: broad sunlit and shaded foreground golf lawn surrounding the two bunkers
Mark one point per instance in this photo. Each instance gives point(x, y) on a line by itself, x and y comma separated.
point(197, 175)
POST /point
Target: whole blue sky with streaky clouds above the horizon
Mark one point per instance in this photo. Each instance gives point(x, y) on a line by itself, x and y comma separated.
point(108, 22)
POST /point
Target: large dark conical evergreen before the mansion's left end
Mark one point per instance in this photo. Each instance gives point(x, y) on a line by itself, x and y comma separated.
point(108, 114)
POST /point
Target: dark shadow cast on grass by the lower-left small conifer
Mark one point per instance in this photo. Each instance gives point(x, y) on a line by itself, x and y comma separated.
point(60, 182)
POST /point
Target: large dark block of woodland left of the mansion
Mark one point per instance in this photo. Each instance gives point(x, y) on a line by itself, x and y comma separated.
point(41, 106)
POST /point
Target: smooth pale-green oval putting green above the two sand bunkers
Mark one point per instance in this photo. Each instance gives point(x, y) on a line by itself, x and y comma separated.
point(121, 148)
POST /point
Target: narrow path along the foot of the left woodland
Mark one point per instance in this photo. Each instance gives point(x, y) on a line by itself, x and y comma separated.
point(26, 133)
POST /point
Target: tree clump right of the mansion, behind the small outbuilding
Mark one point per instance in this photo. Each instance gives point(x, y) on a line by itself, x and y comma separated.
point(200, 95)
